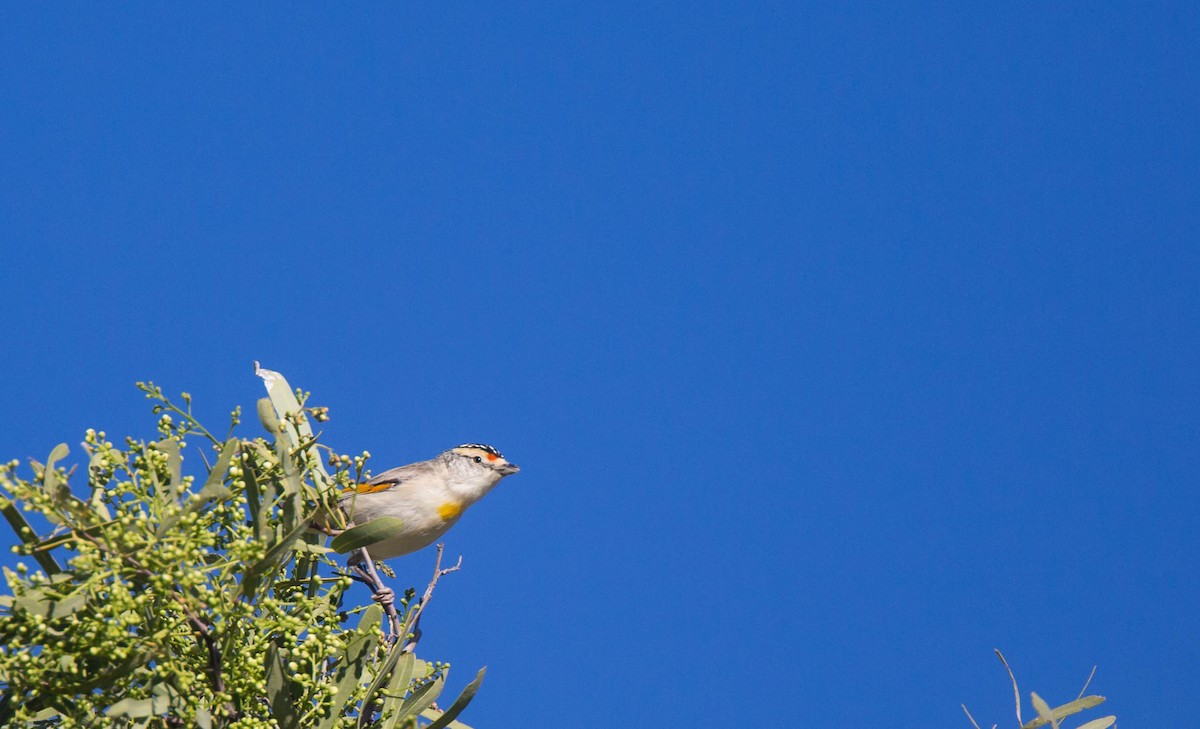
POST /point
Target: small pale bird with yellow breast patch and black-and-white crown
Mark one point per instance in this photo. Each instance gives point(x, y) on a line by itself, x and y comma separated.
point(428, 497)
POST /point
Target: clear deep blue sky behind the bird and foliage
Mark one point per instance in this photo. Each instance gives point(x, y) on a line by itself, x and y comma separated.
point(839, 344)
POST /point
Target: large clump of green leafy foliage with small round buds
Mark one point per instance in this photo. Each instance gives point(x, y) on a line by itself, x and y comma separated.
point(167, 599)
